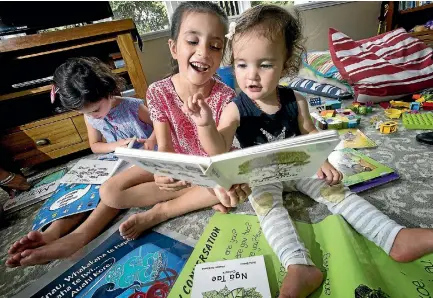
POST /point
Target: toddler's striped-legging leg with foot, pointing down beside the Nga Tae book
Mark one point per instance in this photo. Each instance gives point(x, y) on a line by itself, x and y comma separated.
point(302, 277)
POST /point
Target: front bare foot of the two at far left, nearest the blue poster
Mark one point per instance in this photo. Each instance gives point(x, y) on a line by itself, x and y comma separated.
point(59, 249)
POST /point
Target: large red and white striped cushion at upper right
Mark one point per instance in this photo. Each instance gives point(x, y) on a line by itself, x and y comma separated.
point(383, 67)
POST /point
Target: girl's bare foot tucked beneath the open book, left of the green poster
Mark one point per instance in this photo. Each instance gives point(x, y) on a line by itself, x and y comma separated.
point(140, 222)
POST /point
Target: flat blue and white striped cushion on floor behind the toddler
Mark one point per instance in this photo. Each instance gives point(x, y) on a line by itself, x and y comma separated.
point(312, 87)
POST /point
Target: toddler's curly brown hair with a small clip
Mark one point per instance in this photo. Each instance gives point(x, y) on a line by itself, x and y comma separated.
point(274, 22)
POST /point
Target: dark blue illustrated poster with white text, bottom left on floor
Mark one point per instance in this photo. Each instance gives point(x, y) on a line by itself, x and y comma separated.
point(143, 268)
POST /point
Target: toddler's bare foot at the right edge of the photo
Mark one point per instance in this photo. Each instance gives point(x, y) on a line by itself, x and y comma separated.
point(412, 244)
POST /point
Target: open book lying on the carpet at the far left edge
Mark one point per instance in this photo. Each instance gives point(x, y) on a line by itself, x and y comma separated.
point(40, 191)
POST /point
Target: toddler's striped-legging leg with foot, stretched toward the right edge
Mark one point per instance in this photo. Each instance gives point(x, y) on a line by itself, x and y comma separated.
point(401, 243)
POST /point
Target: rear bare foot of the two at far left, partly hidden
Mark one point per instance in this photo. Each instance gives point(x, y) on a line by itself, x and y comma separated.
point(33, 239)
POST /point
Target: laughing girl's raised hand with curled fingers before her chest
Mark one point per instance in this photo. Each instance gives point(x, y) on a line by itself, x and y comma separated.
point(199, 111)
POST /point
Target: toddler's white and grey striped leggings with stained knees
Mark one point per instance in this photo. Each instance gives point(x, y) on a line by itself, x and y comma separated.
point(278, 228)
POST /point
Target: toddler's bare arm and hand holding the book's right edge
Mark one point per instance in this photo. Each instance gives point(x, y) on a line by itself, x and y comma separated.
point(306, 126)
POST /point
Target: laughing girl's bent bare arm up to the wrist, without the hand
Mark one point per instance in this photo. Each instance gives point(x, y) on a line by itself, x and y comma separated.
point(219, 140)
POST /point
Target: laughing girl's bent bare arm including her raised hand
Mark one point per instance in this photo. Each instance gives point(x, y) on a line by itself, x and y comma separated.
point(214, 140)
